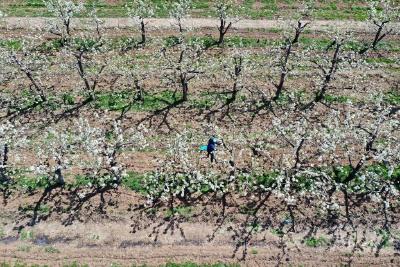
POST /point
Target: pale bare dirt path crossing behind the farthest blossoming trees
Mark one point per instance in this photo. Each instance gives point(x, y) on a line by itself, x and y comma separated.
point(318, 25)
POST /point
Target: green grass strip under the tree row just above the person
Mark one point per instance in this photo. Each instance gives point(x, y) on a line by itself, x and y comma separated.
point(118, 101)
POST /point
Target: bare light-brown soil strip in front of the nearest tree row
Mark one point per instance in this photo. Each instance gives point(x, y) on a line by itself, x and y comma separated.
point(102, 241)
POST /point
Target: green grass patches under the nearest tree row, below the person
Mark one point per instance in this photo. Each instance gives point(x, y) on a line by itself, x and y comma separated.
point(137, 183)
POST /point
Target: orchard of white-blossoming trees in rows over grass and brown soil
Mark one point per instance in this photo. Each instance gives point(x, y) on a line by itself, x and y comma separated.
point(103, 123)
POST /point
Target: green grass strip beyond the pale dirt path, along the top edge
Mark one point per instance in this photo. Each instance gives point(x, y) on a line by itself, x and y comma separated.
point(330, 9)
